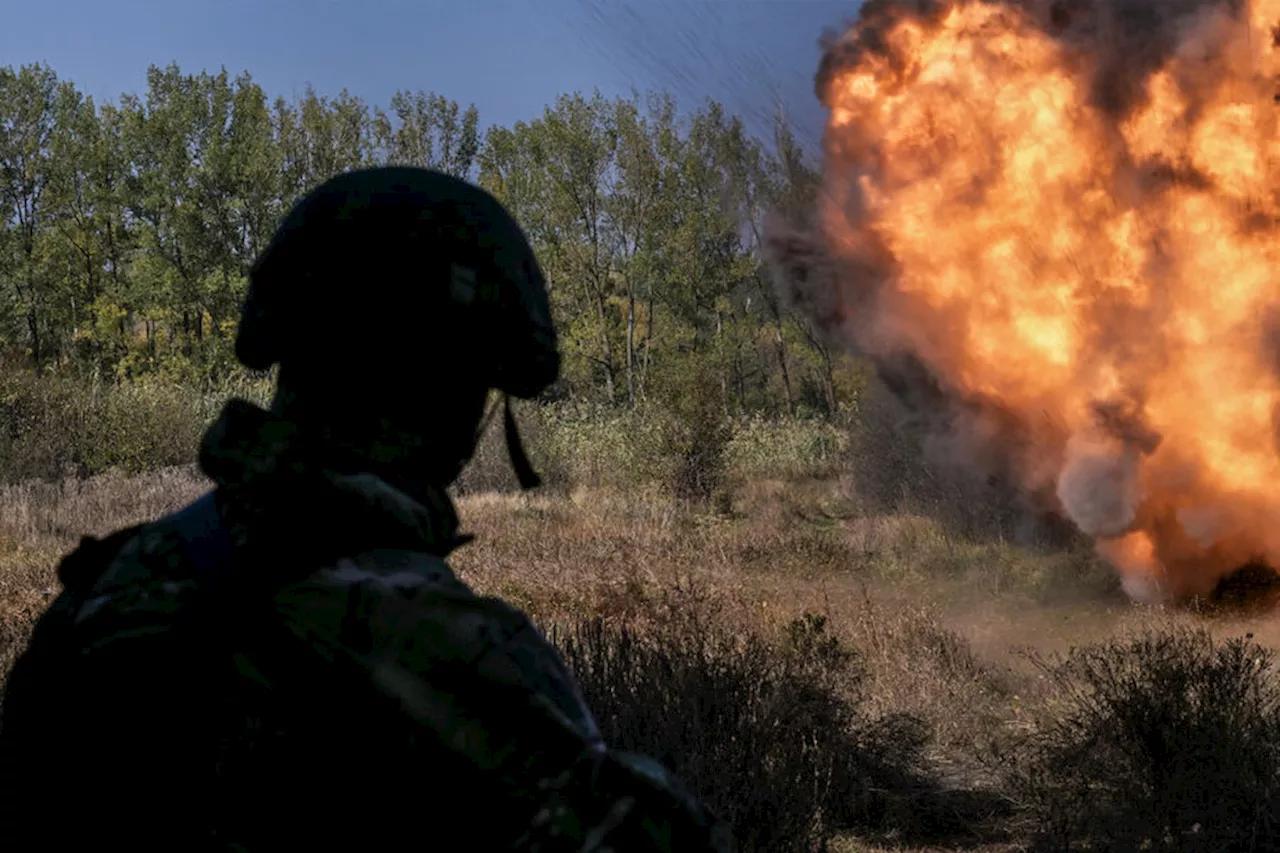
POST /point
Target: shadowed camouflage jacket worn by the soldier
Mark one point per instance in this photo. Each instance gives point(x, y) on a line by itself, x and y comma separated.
point(335, 686)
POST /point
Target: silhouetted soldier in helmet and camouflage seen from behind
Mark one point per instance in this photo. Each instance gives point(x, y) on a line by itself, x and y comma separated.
point(290, 663)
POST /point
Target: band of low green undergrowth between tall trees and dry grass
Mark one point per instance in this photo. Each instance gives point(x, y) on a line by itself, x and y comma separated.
point(54, 427)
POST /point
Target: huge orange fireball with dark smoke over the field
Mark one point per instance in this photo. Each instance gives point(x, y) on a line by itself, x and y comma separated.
point(1057, 225)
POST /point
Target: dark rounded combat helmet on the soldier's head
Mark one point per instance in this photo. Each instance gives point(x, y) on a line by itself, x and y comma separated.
point(395, 268)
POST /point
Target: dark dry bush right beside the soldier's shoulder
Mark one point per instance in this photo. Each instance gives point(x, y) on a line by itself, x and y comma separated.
point(765, 732)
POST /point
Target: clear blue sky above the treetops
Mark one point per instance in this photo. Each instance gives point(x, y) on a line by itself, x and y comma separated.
point(509, 57)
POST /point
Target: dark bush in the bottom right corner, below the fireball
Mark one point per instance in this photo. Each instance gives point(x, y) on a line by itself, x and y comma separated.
point(1168, 742)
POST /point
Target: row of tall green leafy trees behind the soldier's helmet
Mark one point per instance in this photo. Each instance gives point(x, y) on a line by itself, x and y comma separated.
point(127, 230)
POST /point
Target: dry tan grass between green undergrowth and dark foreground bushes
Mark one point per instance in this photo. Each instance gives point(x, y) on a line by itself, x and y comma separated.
point(941, 624)
